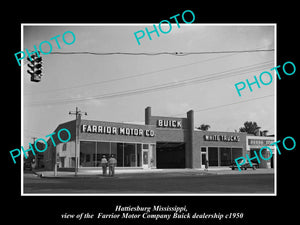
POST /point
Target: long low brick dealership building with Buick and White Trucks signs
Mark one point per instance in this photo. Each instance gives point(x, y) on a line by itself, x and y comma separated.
point(162, 142)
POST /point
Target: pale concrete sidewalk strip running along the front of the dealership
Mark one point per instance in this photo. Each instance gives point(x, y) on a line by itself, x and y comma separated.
point(165, 172)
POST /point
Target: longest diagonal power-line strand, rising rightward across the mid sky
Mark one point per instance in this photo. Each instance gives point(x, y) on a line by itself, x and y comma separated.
point(197, 79)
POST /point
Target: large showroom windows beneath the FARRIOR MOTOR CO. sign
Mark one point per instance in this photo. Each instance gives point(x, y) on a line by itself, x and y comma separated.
point(127, 154)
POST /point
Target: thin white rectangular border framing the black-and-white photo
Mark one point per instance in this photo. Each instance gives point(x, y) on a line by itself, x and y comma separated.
point(151, 194)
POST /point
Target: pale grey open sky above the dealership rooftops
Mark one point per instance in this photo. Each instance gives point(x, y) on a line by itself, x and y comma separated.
point(118, 88)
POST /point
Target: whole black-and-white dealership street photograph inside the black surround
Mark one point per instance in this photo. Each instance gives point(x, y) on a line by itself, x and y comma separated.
point(149, 116)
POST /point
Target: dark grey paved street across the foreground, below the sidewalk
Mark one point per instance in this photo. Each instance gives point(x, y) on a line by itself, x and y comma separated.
point(173, 182)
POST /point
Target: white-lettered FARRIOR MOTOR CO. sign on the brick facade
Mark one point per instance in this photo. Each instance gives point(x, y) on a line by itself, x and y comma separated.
point(117, 130)
